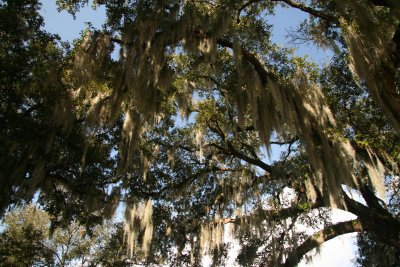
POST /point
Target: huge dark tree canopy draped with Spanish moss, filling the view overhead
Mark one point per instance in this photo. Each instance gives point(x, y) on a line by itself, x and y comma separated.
point(172, 109)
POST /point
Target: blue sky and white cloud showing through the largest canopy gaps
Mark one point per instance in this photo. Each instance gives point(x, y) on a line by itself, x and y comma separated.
point(337, 252)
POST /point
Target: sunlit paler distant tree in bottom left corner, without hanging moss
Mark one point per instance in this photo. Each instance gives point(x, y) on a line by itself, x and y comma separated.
point(26, 240)
